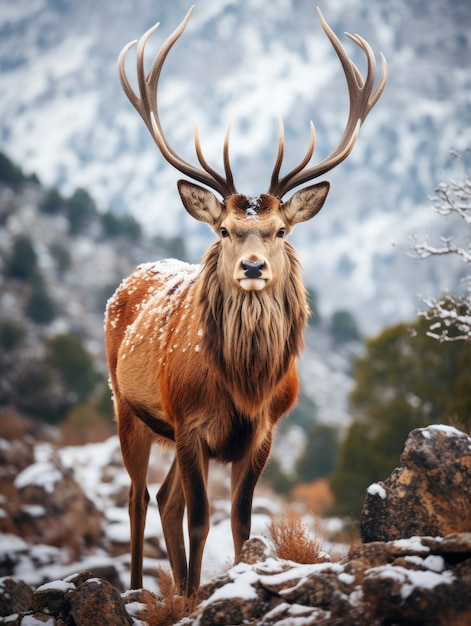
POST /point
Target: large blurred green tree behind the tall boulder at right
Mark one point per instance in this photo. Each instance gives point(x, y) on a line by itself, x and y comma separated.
point(405, 380)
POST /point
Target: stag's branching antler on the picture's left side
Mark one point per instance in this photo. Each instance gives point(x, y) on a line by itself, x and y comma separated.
point(146, 106)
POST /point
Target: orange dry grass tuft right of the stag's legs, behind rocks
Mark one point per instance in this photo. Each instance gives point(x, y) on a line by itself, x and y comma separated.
point(293, 541)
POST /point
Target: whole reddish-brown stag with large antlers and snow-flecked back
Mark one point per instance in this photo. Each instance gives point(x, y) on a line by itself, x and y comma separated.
point(203, 358)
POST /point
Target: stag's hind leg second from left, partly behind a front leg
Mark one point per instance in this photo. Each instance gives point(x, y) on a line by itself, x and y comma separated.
point(171, 502)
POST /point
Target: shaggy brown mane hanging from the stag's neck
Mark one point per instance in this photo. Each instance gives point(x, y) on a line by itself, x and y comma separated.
point(252, 337)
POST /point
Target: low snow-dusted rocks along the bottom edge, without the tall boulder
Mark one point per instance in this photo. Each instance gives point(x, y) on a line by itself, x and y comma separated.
point(421, 580)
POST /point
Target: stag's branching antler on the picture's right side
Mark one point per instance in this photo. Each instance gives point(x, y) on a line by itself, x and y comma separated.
point(362, 100)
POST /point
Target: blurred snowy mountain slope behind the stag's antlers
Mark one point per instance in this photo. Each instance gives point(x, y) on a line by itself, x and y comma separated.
point(63, 115)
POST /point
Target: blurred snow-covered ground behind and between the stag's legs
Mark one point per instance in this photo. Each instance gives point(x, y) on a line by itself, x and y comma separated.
point(98, 469)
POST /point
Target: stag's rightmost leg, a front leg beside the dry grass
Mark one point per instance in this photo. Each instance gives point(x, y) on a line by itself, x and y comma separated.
point(244, 476)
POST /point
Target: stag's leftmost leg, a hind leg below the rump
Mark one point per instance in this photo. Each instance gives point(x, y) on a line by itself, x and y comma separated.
point(135, 448)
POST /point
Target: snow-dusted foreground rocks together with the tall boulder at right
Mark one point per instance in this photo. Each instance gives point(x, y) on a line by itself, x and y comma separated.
point(414, 566)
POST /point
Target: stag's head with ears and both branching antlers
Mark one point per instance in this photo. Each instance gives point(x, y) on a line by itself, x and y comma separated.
point(250, 229)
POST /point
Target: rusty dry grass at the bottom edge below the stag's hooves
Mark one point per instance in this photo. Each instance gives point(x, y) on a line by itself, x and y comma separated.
point(170, 607)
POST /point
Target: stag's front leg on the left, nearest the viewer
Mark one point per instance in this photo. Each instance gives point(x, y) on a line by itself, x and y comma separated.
point(193, 462)
